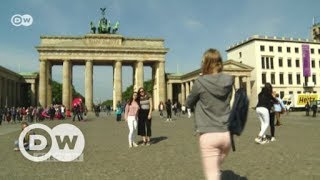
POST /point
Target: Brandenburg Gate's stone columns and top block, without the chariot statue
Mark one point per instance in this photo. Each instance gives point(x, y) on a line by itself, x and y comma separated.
point(104, 50)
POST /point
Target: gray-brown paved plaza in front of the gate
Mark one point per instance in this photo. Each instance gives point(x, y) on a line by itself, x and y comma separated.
point(174, 153)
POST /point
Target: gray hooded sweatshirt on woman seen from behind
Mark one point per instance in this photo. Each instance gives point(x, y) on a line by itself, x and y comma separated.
point(211, 95)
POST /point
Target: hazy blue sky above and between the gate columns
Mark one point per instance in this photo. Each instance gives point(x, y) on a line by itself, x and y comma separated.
point(189, 27)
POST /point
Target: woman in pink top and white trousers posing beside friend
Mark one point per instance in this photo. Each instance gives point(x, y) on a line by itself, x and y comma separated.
point(130, 116)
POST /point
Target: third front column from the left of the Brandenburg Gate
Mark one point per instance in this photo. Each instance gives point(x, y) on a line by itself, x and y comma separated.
point(89, 84)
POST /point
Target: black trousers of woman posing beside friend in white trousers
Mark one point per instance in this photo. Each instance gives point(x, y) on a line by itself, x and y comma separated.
point(144, 124)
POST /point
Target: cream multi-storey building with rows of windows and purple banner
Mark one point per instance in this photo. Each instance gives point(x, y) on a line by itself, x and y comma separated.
point(291, 65)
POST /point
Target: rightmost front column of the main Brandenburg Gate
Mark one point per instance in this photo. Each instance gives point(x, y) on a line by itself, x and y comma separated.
point(161, 82)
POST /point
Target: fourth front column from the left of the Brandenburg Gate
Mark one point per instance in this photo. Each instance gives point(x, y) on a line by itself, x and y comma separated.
point(117, 83)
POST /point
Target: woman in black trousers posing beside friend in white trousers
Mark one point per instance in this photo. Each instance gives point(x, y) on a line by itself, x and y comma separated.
point(144, 122)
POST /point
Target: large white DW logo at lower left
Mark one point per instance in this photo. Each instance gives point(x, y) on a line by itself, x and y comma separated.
point(67, 142)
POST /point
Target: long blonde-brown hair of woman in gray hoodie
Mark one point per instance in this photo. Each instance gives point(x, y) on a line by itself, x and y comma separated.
point(211, 62)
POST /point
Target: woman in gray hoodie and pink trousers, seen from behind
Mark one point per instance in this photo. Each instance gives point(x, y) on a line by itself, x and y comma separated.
point(211, 94)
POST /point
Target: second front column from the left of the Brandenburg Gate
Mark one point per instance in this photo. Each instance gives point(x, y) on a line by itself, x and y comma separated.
point(66, 84)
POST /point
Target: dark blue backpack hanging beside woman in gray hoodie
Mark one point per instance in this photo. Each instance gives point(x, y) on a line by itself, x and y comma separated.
point(238, 115)
